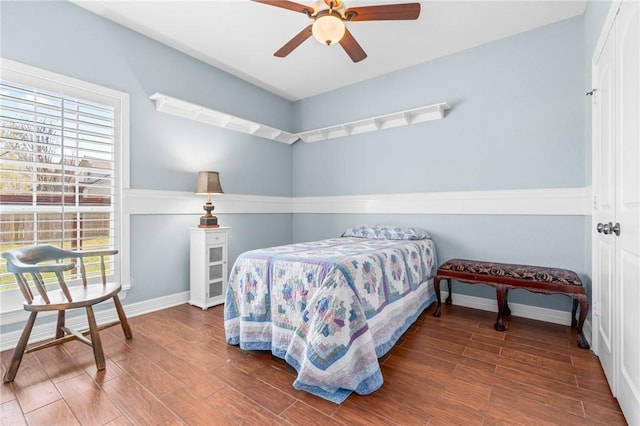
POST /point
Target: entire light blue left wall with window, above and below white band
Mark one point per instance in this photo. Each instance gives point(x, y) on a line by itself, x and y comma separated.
point(165, 151)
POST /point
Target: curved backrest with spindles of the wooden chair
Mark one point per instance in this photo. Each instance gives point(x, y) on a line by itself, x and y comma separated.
point(30, 261)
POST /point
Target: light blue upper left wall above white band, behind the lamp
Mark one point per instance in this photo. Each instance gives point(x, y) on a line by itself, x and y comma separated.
point(165, 151)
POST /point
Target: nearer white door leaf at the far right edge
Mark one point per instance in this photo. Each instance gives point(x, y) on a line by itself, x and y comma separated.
point(628, 208)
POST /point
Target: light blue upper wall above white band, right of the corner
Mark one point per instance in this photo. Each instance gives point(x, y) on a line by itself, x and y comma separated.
point(517, 121)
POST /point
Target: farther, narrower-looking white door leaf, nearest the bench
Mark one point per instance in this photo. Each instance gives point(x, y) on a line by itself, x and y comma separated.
point(604, 205)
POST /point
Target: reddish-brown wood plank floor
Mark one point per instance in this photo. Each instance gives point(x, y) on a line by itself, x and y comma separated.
point(178, 369)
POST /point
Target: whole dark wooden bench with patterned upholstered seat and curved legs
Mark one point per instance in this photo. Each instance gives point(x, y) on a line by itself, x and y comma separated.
point(504, 276)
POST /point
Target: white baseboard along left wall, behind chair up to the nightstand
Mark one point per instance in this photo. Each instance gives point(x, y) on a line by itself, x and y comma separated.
point(47, 331)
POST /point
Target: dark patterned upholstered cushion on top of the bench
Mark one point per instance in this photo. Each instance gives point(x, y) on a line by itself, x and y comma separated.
point(508, 272)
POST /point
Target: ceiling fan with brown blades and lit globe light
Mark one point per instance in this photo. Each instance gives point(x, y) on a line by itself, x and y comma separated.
point(329, 17)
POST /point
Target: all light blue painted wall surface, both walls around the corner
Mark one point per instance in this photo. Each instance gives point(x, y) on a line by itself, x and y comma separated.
point(518, 121)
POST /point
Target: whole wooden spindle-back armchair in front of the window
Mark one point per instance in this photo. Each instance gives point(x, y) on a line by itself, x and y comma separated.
point(30, 266)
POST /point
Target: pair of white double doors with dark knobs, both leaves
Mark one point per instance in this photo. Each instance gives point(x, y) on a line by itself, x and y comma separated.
point(616, 214)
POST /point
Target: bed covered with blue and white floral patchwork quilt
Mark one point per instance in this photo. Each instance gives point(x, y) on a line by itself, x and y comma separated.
point(331, 308)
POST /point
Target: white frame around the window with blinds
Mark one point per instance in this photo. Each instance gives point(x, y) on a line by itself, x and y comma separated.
point(11, 300)
